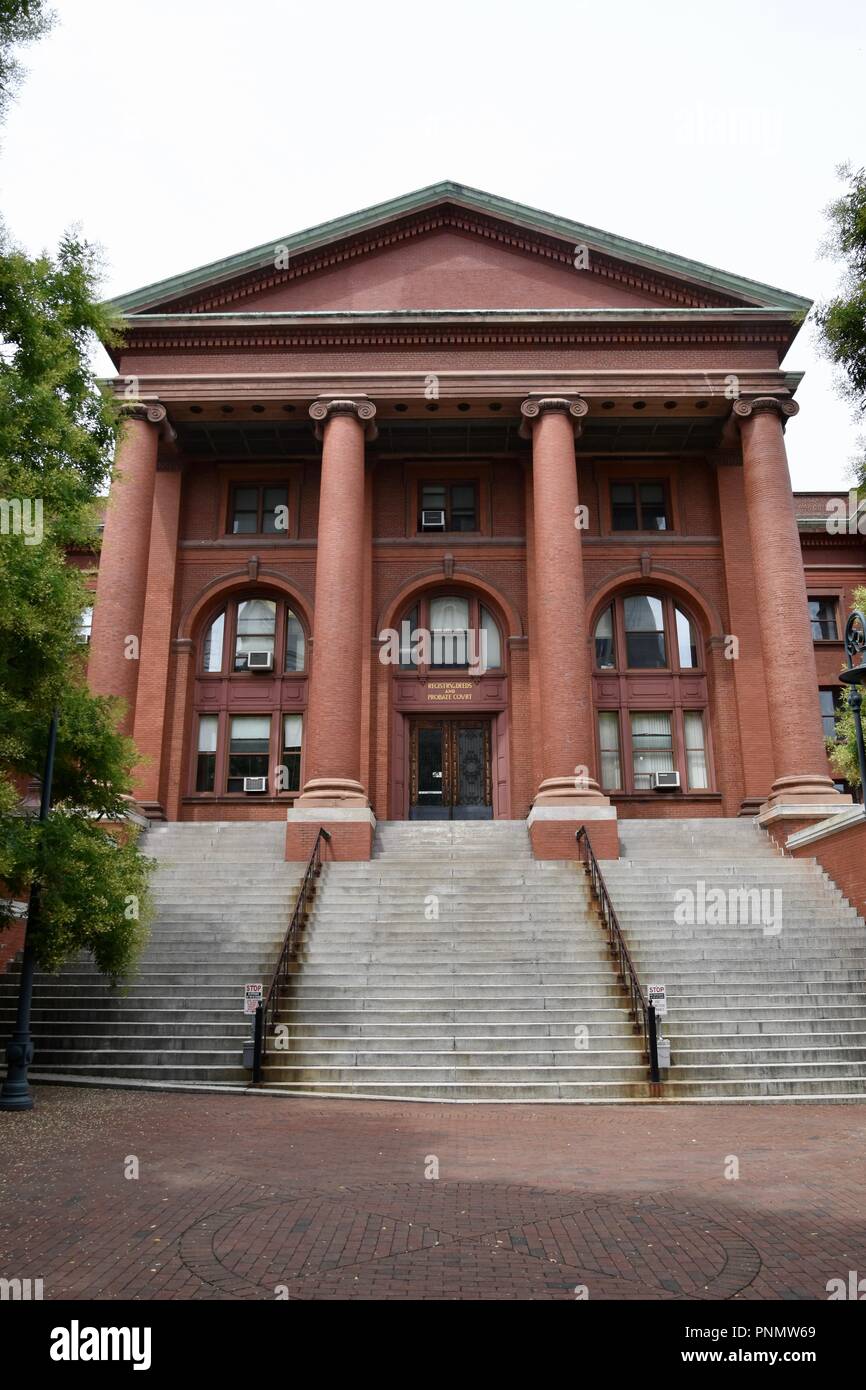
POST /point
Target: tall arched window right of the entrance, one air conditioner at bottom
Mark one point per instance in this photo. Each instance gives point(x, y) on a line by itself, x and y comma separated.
point(653, 735)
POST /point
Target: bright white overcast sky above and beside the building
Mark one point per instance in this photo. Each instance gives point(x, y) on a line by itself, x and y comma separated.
point(181, 131)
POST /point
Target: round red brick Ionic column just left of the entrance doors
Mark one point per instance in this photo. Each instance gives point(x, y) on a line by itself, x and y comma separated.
point(333, 739)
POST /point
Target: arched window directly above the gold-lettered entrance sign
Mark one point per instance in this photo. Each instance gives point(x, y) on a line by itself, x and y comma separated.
point(451, 632)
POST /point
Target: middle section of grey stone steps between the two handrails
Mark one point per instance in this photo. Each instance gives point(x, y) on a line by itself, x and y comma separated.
point(455, 967)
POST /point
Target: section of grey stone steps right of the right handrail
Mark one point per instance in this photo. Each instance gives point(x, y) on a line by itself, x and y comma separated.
point(762, 1004)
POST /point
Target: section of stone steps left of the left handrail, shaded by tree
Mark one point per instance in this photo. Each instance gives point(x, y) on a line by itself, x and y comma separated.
point(223, 900)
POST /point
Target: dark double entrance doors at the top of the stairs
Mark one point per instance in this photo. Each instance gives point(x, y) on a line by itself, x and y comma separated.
point(450, 769)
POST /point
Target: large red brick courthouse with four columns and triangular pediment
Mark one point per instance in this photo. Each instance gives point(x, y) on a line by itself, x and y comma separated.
point(458, 509)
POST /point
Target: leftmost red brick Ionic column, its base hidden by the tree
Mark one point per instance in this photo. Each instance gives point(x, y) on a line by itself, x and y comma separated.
point(123, 566)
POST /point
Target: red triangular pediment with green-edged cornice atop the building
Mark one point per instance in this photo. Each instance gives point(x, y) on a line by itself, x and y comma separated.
point(451, 248)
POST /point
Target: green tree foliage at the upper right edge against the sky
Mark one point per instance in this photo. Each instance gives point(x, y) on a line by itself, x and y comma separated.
point(843, 320)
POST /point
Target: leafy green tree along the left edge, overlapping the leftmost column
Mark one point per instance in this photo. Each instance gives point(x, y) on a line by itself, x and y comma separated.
point(58, 437)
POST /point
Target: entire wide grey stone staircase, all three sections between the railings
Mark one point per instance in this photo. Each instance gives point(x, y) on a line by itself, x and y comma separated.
point(455, 967)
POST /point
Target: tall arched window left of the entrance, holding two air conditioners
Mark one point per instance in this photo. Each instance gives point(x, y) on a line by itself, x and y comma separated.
point(252, 747)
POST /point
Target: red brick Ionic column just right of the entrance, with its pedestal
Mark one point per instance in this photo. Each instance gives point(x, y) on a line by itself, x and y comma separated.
point(561, 647)
